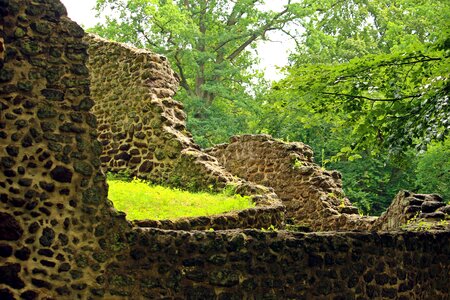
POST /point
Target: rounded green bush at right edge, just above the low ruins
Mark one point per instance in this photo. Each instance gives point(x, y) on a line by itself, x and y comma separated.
point(433, 170)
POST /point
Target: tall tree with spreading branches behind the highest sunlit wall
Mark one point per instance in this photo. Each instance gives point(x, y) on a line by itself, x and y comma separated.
point(210, 43)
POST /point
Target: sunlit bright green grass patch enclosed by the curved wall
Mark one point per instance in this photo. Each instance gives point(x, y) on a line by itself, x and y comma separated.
point(140, 201)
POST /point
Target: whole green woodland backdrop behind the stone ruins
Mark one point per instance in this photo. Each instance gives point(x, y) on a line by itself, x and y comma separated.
point(367, 86)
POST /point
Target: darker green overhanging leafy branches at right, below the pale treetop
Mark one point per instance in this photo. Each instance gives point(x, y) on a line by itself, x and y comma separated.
point(393, 100)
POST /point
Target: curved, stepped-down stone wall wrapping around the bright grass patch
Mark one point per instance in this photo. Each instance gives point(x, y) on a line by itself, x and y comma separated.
point(142, 130)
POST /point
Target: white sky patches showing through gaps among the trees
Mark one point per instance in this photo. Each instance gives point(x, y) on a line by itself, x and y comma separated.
point(272, 54)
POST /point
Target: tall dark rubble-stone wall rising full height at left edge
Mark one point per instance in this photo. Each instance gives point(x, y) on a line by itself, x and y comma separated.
point(52, 194)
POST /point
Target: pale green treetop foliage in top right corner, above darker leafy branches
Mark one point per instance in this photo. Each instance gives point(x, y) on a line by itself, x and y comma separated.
point(356, 28)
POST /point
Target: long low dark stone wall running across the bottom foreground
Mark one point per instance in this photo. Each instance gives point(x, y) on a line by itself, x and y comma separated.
point(250, 264)
